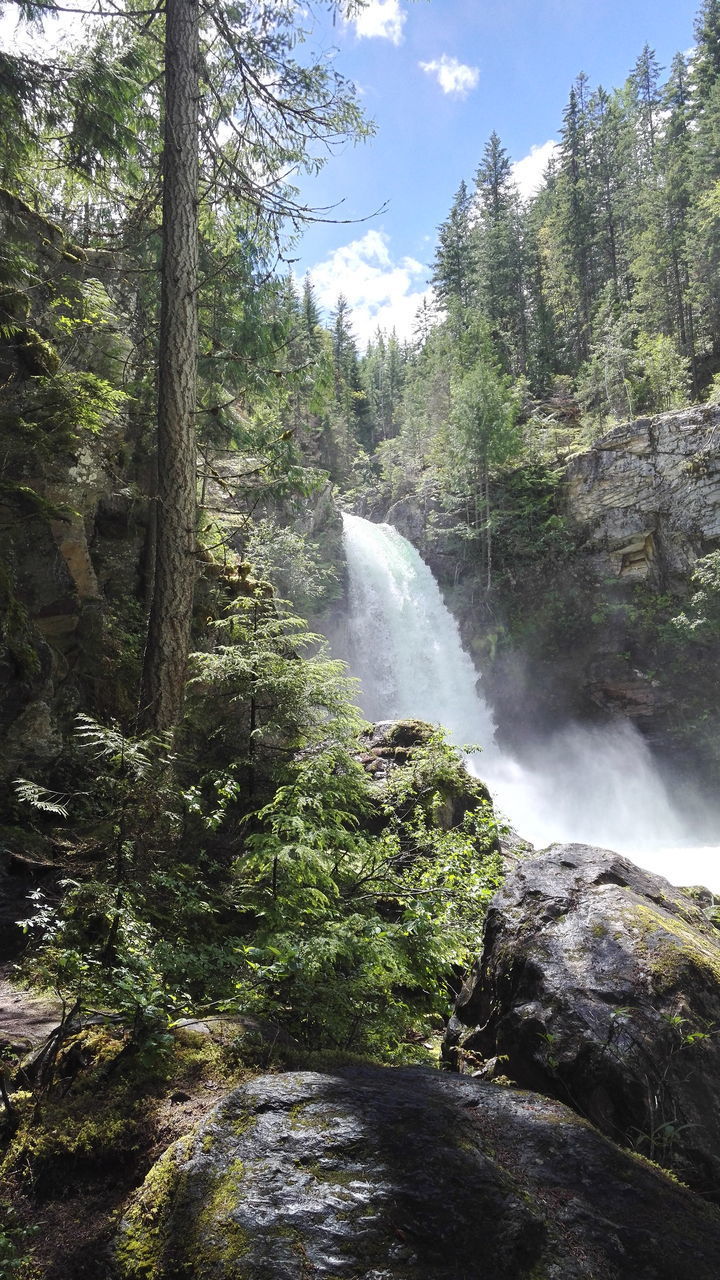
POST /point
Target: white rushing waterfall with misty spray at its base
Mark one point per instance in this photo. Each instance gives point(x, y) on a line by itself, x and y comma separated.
point(598, 785)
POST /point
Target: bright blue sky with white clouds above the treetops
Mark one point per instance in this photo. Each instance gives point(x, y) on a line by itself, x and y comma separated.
point(438, 77)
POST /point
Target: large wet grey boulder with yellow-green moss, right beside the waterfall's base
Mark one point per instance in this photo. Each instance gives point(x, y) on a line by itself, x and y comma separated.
point(600, 985)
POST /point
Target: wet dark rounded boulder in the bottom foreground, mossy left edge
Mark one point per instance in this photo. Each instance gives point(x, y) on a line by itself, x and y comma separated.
point(379, 1174)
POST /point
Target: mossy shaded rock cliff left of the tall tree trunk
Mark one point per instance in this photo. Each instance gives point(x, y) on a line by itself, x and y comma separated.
point(72, 522)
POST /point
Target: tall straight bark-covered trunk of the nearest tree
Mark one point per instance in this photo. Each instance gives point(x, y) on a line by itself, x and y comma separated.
point(171, 614)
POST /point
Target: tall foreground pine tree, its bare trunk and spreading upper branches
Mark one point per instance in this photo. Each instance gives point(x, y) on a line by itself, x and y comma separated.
point(259, 111)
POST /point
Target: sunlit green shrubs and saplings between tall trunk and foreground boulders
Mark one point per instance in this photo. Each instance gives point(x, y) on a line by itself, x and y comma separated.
point(335, 908)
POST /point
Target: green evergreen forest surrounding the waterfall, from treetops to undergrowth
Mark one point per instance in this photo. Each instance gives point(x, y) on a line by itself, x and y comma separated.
point(195, 820)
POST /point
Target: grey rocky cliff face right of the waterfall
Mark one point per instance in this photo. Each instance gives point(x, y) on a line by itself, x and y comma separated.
point(578, 623)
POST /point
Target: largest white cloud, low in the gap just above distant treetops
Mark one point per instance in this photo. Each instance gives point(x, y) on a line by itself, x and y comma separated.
point(381, 292)
